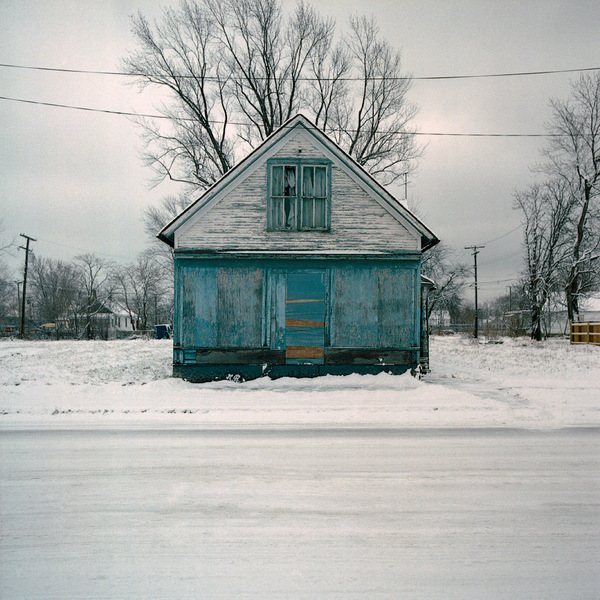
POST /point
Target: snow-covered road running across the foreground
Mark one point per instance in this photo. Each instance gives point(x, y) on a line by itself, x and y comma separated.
point(305, 514)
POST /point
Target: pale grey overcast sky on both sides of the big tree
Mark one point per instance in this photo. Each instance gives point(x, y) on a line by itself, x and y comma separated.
point(74, 181)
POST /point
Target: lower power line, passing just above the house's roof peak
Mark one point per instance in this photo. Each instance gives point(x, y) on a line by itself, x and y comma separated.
point(216, 122)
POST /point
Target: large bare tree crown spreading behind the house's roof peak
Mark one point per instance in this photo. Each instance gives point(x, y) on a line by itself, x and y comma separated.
point(238, 69)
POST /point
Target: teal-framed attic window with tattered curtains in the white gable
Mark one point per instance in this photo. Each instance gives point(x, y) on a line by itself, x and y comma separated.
point(299, 195)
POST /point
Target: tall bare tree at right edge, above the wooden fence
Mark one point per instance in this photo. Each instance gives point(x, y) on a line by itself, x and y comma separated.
point(573, 154)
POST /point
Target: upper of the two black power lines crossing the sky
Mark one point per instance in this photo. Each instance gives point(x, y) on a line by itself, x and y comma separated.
point(401, 78)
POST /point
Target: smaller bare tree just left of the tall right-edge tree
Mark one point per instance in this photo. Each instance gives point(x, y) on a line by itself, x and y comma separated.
point(546, 209)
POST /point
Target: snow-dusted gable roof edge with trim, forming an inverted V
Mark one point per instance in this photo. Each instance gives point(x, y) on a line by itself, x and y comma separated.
point(216, 192)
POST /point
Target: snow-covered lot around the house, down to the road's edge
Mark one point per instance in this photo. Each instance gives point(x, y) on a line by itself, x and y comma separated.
point(127, 384)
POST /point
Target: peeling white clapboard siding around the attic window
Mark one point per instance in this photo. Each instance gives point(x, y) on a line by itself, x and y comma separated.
point(238, 222)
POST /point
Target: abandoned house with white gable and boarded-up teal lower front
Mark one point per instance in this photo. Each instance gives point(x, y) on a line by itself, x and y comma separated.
point(297, 263)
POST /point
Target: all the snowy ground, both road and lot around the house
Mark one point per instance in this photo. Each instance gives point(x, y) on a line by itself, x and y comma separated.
point(480, 481)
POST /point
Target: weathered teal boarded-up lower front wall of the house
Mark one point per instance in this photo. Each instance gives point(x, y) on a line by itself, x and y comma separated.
point(274, 311)
